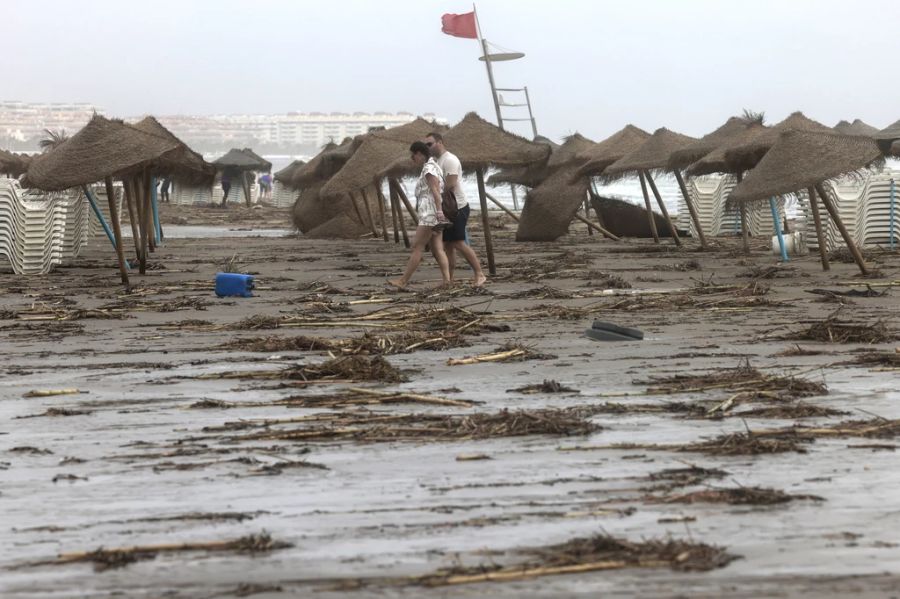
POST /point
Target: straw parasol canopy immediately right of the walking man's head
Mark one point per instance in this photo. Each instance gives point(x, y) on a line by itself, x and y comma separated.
point(478, 144)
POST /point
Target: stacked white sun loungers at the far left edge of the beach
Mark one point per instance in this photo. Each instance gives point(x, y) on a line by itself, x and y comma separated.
point(40, 230)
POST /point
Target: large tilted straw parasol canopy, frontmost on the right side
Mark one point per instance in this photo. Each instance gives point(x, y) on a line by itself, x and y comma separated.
point(802, 159)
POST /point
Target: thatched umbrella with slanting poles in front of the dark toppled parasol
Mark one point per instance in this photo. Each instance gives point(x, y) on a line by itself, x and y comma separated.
point(653, 155)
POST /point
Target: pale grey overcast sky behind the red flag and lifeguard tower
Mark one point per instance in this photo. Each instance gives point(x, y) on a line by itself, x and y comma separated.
point(590, 66)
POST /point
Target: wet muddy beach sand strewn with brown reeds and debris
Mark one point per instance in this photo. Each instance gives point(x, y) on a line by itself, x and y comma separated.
point(179, 435)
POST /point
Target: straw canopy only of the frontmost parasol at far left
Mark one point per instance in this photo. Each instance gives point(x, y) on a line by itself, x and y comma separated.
point(102, 148)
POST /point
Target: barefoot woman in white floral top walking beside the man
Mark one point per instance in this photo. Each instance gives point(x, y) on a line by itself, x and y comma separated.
point(431, 218)
